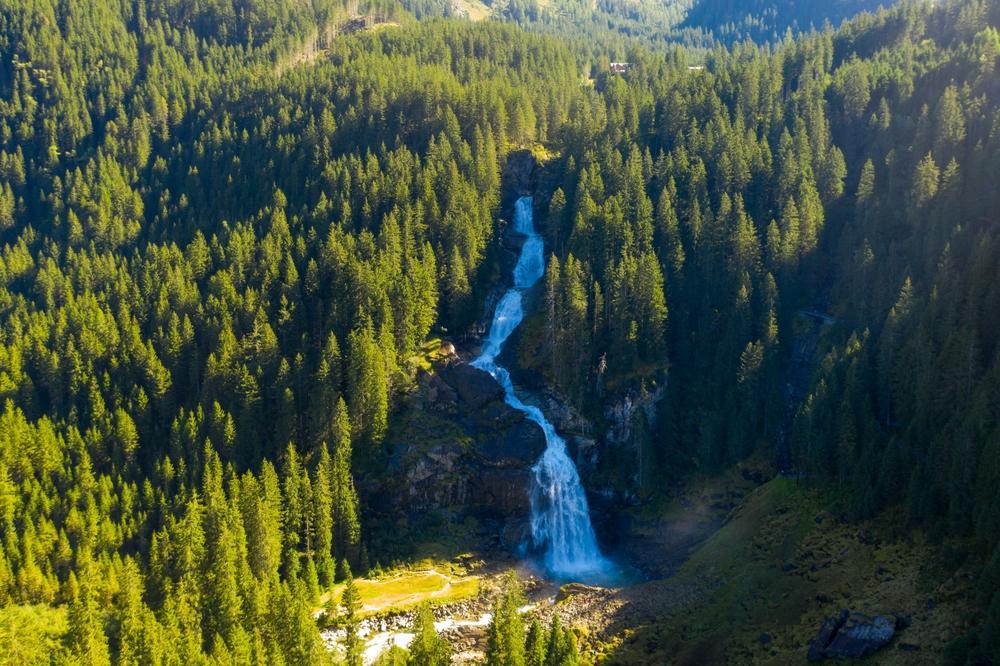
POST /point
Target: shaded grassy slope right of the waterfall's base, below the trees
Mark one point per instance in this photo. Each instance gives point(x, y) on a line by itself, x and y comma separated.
point(780, 565)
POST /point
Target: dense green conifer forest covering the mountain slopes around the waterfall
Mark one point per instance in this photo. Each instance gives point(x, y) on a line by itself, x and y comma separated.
point(229, 229)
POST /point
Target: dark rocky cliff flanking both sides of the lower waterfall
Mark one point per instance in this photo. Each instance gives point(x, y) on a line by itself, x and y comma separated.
point(458, 449)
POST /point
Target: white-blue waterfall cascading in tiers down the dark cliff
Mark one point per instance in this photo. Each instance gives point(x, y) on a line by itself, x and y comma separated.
point(560, 517)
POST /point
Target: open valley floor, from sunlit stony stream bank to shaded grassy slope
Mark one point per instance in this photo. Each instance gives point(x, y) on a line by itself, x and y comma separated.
point(743, 571)
